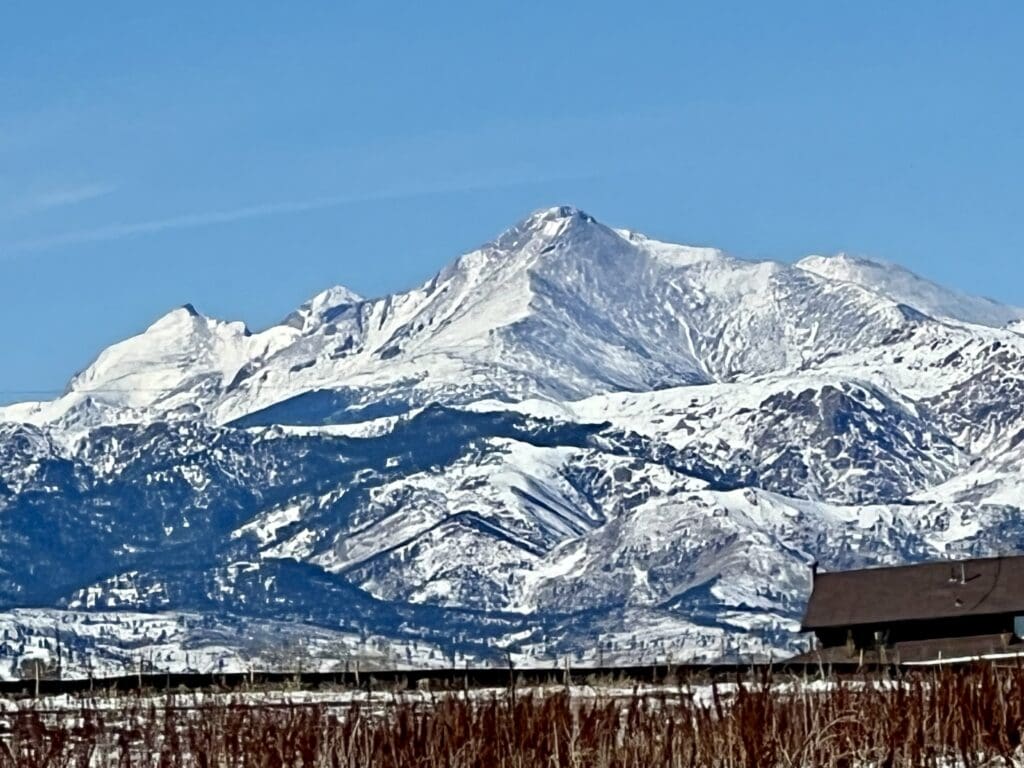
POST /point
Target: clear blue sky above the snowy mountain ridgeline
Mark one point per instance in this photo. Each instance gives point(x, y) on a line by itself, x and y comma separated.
point(244, 156)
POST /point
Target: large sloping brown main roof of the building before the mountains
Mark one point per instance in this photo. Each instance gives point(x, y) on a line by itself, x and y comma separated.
point(934, 590)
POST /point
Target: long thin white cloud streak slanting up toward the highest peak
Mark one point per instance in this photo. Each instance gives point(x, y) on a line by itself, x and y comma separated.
point(208, 219)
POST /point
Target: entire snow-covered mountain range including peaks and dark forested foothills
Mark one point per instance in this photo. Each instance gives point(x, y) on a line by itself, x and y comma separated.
point(572, 440)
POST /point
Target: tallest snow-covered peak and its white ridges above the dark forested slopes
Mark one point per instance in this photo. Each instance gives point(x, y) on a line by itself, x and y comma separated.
point(560, 307)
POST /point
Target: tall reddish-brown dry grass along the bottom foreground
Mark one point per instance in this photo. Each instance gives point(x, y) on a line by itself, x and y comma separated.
point(942, 718)
